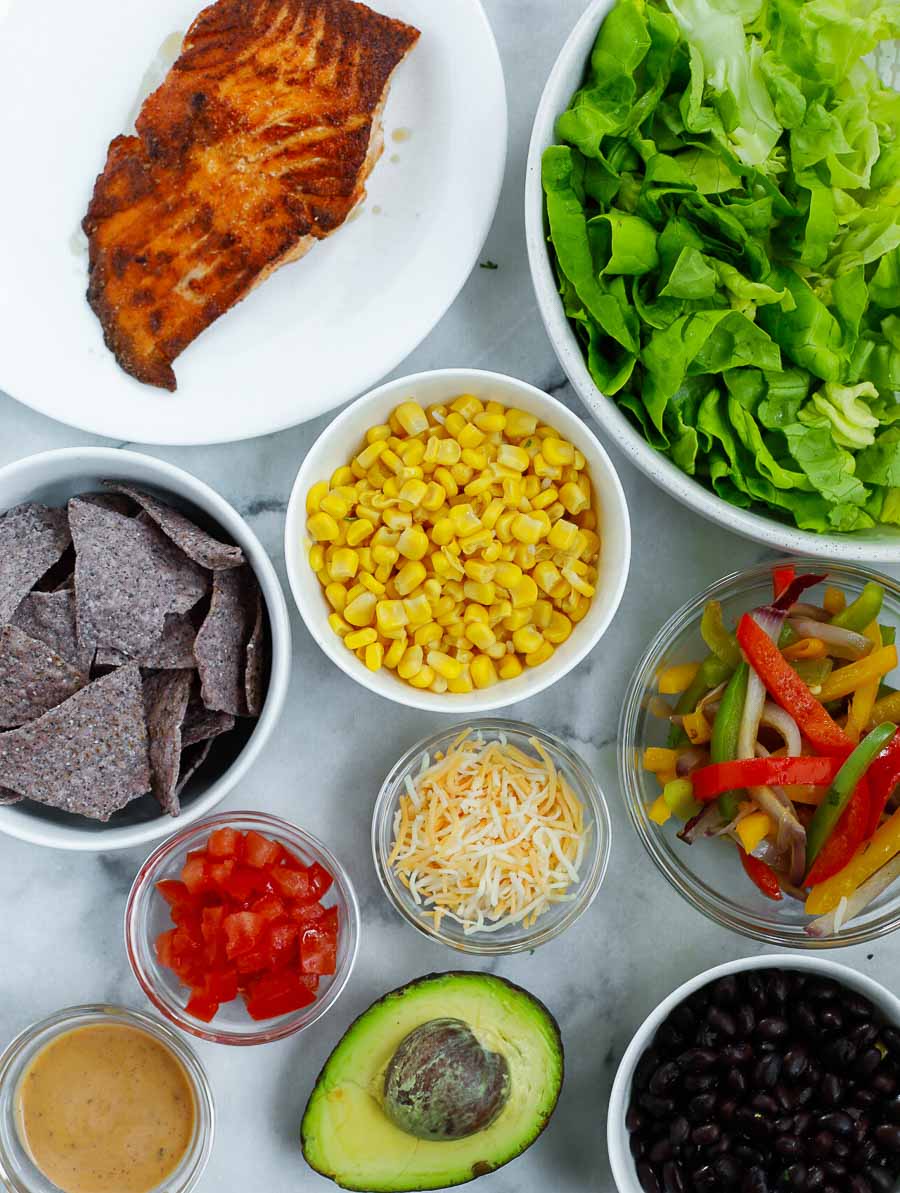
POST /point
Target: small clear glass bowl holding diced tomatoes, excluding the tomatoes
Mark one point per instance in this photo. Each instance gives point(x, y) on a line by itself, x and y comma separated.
point(147, 916)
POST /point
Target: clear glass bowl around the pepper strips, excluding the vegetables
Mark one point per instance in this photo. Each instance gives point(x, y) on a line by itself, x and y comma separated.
point(708, 874)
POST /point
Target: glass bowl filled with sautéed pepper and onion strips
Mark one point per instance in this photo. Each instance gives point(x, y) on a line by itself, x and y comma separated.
point(760, 753)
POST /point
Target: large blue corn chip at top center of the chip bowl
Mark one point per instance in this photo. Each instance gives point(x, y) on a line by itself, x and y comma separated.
point(128, 578)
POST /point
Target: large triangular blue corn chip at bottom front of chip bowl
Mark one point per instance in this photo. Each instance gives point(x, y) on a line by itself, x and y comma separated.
point(88, 756)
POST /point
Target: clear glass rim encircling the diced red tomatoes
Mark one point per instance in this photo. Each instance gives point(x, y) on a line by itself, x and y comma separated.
point(264, 1031)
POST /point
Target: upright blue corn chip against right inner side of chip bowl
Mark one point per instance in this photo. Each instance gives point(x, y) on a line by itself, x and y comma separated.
point(221, 646)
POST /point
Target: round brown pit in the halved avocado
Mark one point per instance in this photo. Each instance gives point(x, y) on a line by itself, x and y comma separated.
point(443, 1085)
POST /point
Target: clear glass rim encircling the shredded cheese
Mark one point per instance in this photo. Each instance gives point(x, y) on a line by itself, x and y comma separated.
point(601, 848)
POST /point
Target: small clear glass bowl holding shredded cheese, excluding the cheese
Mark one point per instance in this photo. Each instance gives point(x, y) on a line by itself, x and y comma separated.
point(514, 938)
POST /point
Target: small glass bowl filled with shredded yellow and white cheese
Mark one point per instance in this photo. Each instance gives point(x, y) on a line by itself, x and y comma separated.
point(491, 837)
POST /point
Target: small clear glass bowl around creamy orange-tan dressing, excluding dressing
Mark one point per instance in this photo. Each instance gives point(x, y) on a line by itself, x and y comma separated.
point(19, 1172)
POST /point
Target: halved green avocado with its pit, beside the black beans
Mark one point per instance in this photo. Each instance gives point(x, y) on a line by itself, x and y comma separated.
point(352, 1136)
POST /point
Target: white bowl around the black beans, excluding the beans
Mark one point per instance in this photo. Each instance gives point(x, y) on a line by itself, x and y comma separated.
point(624, 1167)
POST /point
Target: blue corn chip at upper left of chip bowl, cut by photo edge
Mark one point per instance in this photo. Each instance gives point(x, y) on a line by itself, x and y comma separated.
point(33, 540)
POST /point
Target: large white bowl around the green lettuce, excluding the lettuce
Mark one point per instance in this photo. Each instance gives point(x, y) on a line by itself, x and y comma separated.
point(881, 545)
